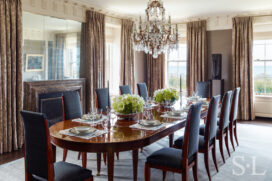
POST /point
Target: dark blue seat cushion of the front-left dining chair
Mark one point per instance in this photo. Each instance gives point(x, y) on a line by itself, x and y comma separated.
point(70, 172)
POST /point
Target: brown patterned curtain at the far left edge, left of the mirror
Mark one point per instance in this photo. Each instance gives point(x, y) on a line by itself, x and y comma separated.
point(11, 128)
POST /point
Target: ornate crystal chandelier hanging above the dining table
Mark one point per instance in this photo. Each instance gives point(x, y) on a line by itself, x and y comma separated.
point(155, 35)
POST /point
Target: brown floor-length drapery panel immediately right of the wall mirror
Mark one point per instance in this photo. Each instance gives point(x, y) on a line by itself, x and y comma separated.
point(93, 54)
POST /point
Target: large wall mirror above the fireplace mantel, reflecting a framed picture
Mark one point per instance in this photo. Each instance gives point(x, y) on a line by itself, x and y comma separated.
point(51, 48)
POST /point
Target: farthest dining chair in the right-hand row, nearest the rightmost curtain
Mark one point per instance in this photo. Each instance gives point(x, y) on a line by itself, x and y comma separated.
point(233, 116)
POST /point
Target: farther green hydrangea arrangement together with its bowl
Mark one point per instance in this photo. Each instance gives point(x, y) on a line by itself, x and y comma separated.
point(166, 97)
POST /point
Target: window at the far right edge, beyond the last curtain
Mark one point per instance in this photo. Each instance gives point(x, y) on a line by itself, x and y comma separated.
point(262, 67)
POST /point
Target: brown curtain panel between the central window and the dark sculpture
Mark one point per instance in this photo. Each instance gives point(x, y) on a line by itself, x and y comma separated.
point(196, 53)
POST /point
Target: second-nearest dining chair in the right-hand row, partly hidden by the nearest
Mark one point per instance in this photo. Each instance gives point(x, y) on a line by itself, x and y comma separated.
point(208, 141)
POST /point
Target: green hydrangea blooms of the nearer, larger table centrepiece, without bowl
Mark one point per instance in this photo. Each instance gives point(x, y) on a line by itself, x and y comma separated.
point(128, 104)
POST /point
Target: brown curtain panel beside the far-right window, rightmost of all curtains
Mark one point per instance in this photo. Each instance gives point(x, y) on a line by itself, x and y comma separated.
point(242, 43)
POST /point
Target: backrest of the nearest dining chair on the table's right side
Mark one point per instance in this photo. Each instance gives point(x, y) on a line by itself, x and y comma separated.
point(191, 134)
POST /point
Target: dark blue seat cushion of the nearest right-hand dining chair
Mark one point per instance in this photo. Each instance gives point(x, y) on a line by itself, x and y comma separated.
point(166, 157)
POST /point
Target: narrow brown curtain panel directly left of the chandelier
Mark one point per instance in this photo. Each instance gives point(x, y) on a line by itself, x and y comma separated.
point(127, 55)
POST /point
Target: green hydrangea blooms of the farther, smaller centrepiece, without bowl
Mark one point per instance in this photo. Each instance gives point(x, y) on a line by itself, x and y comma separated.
point(163, 95)
